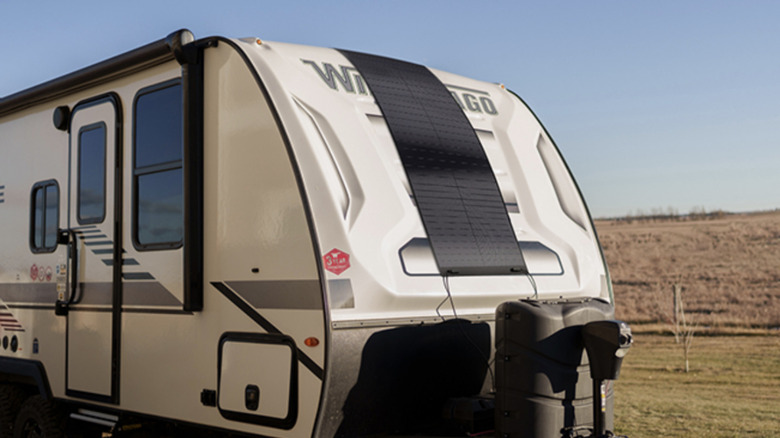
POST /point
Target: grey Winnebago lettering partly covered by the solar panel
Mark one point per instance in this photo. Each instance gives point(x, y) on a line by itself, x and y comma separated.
point(348, 79)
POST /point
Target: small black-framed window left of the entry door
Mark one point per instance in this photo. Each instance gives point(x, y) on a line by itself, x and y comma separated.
point(44, 216)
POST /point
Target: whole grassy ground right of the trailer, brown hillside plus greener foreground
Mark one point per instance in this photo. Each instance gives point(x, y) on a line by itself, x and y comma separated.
point(729, 271)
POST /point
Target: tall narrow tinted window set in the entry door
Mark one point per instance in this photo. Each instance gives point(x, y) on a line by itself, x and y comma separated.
point(92, 174)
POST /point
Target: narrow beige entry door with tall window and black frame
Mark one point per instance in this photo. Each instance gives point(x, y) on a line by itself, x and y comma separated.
point(94, 218)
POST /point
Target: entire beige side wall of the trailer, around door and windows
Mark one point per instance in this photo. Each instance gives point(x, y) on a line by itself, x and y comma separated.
point(261, 271)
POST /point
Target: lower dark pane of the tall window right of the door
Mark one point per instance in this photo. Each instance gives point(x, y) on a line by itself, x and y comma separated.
point(160, 210)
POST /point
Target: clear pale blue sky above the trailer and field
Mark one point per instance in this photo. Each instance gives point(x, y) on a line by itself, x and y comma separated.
point(654, 104)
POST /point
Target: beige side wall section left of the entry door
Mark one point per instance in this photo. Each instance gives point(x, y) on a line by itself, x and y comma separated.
point(31, 150)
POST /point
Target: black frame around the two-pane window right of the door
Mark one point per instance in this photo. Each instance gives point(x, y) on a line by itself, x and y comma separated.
point(155, 168)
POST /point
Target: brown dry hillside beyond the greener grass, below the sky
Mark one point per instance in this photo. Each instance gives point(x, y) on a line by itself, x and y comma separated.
point(728, 268)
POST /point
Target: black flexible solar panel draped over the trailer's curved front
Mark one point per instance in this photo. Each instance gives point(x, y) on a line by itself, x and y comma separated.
point(451, 179)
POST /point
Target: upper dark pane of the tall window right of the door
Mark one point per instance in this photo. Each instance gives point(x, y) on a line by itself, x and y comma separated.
point(158, 129)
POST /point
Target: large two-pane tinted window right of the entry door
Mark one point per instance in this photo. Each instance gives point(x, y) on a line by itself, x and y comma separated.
point(157, 167)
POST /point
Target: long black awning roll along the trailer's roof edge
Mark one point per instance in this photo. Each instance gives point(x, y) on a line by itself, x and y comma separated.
point(156, 53)
